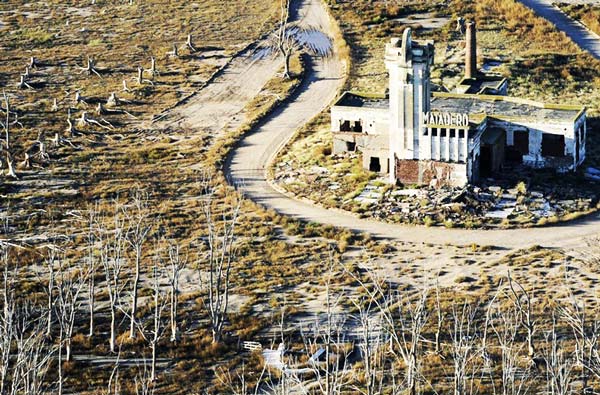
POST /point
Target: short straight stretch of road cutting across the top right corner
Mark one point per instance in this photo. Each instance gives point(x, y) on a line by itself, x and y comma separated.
point(582, 36)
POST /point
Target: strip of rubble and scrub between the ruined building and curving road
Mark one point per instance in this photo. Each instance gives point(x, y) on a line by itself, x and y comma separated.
point(496, 203)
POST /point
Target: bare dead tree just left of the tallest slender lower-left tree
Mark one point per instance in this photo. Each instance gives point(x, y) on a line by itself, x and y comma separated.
point(112, 247)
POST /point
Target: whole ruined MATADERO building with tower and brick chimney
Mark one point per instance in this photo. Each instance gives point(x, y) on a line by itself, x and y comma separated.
point(420, 137)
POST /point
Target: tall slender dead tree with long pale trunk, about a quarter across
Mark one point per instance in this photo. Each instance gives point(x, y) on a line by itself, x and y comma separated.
point(138, 227)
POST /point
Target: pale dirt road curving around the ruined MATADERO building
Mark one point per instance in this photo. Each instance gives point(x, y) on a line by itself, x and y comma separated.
point(248, 163)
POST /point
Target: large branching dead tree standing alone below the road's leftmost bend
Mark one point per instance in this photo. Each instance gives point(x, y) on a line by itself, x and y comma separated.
point(219, 259)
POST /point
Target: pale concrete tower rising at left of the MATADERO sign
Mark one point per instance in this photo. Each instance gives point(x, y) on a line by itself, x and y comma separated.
point(408, 63)
